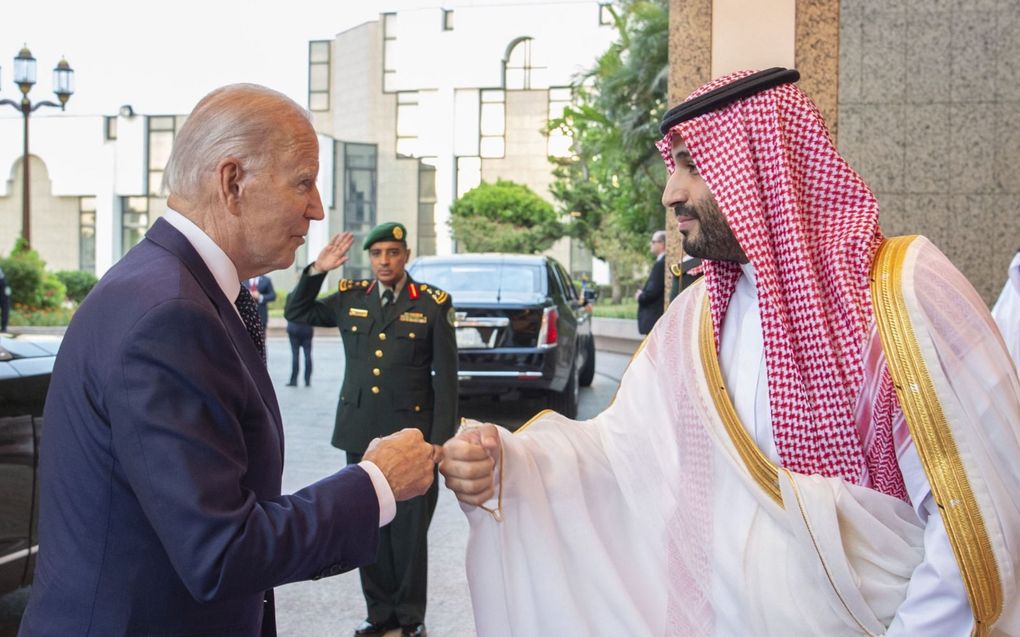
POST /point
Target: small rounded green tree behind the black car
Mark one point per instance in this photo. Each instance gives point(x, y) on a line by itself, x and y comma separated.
point(504, 218)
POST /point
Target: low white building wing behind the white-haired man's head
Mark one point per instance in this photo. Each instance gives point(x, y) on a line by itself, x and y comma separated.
point(96, 188)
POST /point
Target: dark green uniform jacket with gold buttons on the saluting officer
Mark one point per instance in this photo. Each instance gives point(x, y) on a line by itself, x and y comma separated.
point(388, 382)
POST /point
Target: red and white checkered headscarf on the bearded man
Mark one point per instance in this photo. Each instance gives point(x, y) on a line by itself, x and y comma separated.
point(809, 226)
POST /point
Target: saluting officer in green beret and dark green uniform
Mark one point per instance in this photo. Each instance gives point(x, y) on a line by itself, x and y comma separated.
point(397, 333)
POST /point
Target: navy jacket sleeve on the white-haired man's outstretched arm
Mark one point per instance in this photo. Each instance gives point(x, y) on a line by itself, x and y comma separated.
point(183, 420)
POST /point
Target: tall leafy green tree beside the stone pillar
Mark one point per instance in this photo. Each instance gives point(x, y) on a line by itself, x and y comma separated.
point(614, 183)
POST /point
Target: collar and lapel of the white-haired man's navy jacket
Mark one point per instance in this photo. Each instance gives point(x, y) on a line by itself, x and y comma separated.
point(169, 238)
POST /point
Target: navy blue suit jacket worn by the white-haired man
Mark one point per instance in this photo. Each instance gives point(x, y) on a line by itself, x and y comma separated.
point(161, 467)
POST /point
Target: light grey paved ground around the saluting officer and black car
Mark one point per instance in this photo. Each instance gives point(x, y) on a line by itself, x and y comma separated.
point(333, 607)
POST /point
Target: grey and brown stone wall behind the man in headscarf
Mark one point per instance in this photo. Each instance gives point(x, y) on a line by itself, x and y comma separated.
point(922, 98)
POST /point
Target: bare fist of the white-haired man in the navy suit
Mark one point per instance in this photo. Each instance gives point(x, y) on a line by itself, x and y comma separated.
point(407, 462)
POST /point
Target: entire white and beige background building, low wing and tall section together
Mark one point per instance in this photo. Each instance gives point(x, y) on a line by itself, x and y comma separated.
point(413, 111)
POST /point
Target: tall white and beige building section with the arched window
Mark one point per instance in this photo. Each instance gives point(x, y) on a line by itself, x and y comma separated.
point(464, 92)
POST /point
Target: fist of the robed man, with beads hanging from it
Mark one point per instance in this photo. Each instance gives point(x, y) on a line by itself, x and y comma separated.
point(469, 461)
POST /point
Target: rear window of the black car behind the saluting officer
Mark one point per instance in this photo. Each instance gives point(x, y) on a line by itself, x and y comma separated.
point(482, 278)
